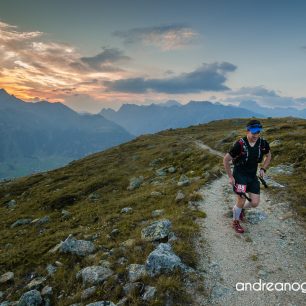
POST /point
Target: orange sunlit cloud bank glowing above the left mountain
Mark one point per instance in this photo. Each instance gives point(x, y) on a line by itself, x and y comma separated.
point(31, 66)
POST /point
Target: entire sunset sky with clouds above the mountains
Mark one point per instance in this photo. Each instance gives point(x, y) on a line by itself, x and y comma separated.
point(94, 54)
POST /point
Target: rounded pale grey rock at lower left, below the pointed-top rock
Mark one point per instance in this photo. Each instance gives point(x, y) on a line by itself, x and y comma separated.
point(94, 275)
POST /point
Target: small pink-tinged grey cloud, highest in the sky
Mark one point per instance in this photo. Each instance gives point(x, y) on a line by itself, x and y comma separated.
point(166, 37)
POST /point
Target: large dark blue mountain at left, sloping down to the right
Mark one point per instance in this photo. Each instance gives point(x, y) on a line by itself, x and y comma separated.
point(43, 135)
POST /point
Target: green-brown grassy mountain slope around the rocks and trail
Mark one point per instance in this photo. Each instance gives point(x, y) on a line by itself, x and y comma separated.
point(108, 174)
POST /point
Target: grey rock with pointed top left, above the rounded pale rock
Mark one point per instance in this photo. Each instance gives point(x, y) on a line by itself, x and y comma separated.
point(78, 247)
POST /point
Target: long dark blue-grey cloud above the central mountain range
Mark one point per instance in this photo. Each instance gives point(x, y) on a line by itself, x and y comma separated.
point(208, 77)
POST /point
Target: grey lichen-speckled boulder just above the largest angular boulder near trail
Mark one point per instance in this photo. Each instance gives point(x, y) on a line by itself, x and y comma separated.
point(156, 231)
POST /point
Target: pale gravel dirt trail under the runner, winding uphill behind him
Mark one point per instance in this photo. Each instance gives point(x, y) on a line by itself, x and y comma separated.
point(271, 250)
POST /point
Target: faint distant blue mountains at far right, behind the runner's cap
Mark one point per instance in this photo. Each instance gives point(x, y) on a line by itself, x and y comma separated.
point(273, 112)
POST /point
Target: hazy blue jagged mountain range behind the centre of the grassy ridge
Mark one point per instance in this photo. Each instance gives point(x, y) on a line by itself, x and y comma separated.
point(153, 118)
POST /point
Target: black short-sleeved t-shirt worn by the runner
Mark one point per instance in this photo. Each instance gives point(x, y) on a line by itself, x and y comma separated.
point(250, 168)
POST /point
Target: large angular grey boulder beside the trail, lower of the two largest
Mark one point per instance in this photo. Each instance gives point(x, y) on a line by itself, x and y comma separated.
point(163, 260)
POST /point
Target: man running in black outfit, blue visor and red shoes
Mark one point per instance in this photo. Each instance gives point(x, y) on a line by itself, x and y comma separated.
point(246, 153)
